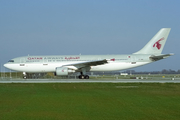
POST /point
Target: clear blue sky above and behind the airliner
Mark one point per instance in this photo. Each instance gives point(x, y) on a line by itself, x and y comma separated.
point(88, 27)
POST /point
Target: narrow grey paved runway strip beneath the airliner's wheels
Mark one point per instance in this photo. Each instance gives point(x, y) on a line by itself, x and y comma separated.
point(87, 81)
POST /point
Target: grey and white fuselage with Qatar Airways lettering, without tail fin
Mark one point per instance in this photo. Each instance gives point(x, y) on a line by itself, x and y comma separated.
point(50, 63)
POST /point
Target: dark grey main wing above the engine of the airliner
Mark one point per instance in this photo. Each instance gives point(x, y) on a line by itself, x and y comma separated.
point(88, 63)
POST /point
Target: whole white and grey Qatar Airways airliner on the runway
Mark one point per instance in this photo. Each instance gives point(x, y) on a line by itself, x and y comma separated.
point(64, 65)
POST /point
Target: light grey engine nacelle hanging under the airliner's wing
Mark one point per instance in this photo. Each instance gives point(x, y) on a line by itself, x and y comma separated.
point(63, 71)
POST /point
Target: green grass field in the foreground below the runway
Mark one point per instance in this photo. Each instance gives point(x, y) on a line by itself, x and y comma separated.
point(90, 101)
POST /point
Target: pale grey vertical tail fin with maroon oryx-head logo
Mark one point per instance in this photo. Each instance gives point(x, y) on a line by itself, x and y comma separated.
point(156, 44)
